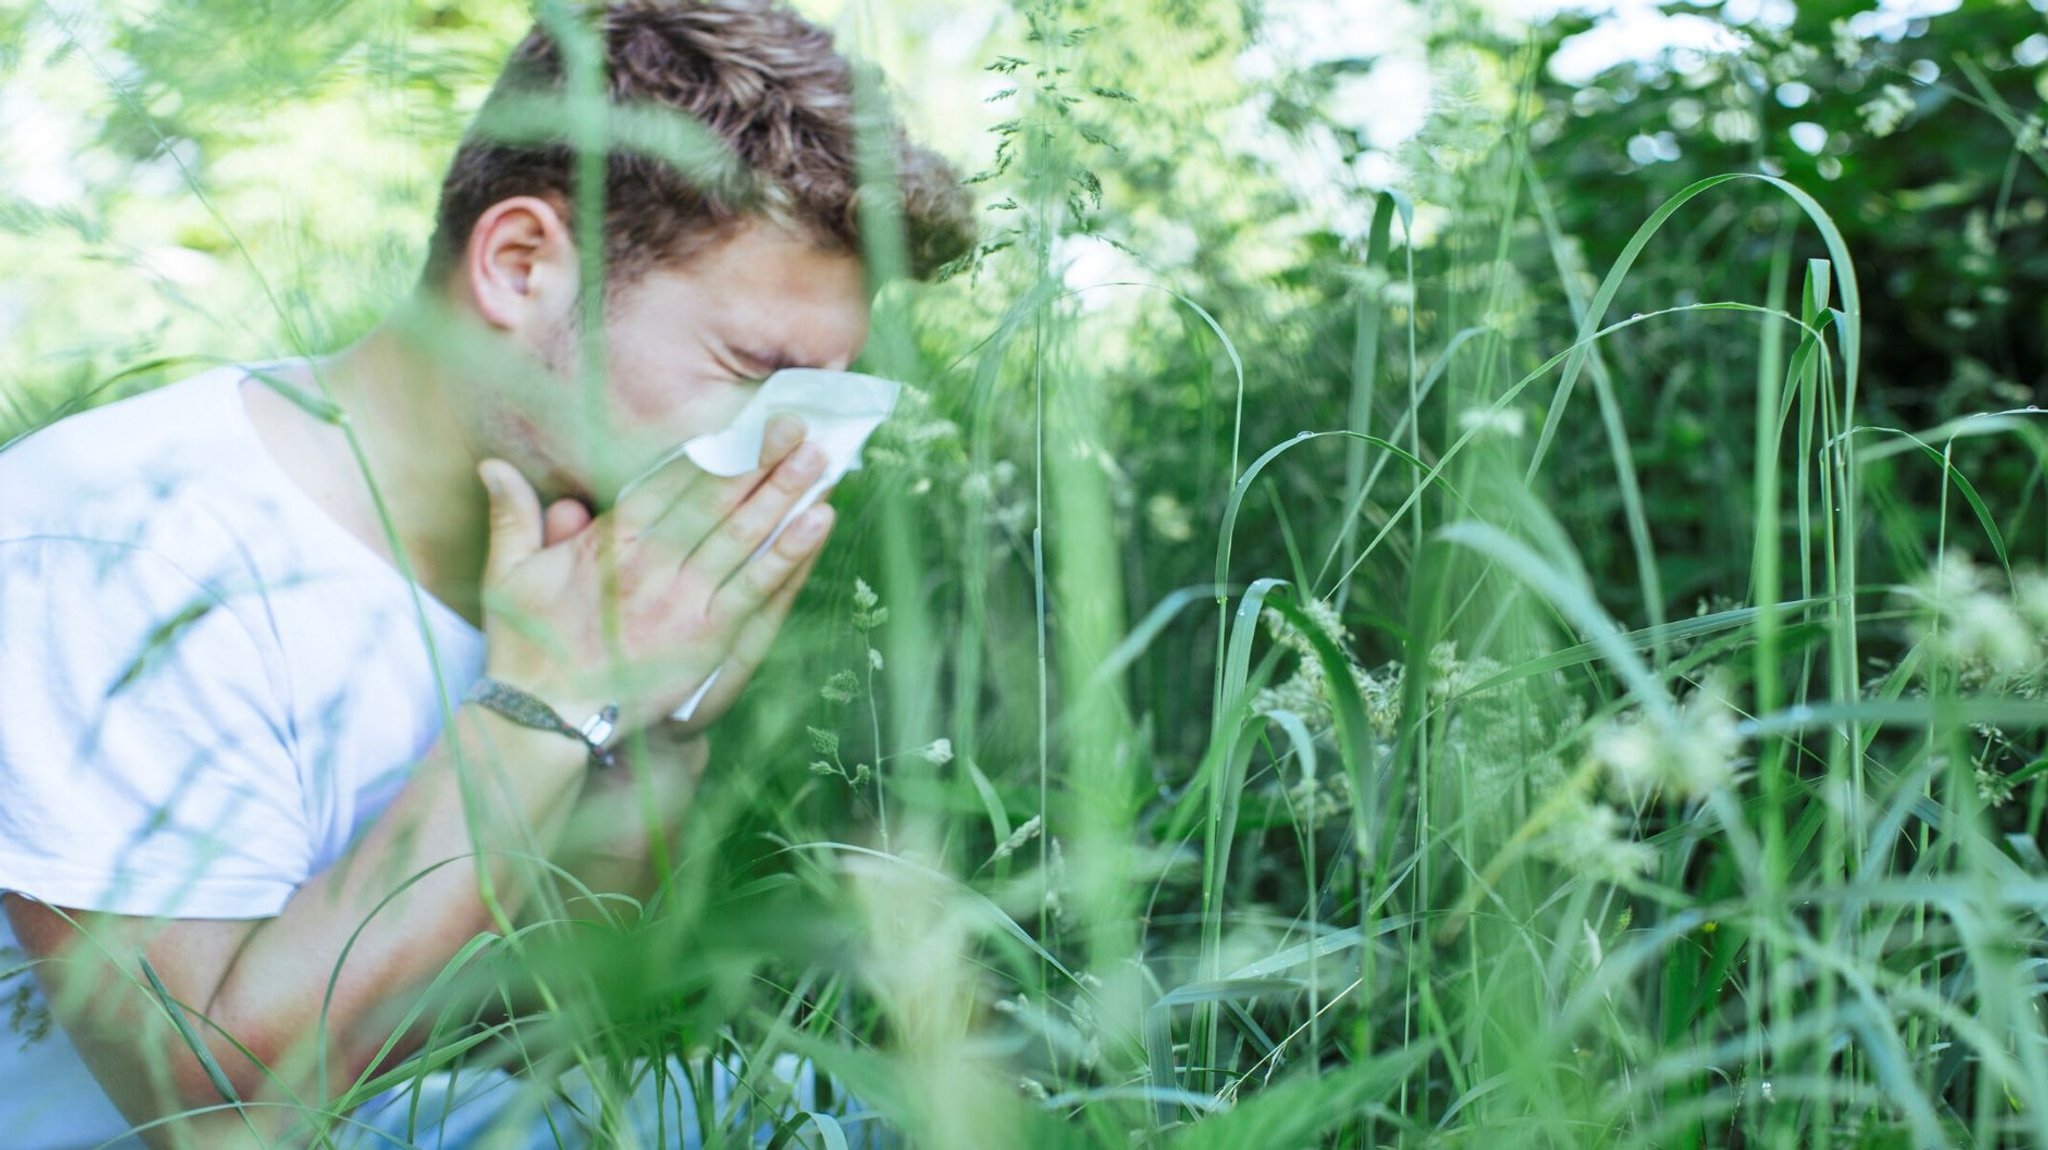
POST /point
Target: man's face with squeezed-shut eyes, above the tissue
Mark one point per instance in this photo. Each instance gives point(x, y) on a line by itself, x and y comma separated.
point(685, 349)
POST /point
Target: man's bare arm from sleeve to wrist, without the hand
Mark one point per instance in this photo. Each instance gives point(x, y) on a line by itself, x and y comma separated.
point(257, 991)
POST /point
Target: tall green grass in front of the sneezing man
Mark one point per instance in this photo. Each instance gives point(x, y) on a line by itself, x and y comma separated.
point(1381, 824)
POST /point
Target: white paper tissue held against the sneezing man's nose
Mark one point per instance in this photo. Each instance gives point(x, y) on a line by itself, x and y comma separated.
point(839, 410)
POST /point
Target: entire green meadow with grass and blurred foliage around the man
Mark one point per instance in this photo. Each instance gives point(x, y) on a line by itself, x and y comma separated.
point(1500, 635)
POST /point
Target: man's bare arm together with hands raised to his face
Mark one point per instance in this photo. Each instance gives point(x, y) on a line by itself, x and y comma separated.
point(273, 1002)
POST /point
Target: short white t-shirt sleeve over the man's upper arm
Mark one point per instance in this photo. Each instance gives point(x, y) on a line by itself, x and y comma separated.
point(146, 754)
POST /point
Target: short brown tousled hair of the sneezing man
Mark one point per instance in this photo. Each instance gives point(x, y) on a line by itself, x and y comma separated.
point(763, 81)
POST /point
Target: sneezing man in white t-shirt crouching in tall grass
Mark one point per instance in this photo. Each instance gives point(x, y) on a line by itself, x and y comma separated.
point(294, 660)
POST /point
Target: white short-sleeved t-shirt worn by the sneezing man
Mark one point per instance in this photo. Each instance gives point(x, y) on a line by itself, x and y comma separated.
point(208, 689)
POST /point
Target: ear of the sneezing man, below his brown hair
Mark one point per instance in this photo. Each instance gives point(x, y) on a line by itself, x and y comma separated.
point(521, 267)
